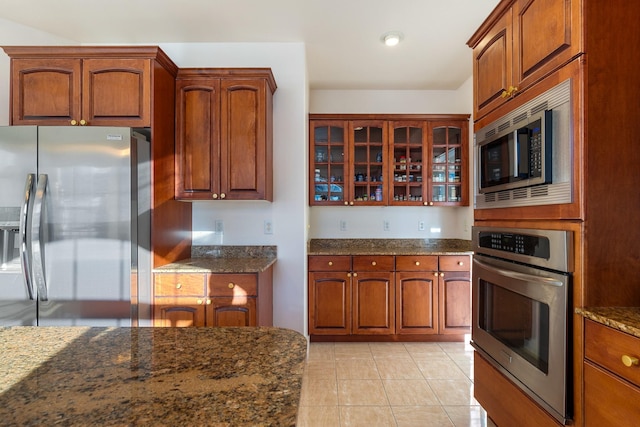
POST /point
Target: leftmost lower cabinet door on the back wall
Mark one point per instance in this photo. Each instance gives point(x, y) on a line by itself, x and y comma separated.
point(329, 303)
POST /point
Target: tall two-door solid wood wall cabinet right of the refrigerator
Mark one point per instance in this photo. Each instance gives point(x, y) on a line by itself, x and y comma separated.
point(224, 134)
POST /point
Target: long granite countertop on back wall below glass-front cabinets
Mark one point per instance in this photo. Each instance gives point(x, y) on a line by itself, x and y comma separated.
point(389, 247)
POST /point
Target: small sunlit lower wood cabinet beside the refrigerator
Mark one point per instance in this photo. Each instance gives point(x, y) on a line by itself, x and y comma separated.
point(242, 299)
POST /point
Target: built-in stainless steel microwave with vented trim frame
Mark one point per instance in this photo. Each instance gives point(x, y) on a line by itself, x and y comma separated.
point(524, 158)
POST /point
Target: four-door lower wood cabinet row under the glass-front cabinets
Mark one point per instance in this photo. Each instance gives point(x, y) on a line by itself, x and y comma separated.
point(389, 296)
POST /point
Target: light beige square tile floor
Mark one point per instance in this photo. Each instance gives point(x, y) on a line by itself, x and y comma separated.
point(389, 384)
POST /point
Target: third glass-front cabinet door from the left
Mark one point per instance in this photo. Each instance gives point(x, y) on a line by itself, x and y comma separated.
point(408, 140)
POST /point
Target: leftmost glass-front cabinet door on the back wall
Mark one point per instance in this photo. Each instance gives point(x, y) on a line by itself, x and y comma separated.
point(329, 166)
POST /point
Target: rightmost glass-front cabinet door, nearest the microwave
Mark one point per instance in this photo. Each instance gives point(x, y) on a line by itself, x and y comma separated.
point(448, 164)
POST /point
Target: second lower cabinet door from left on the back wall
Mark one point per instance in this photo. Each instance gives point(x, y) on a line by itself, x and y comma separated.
point(373, 307)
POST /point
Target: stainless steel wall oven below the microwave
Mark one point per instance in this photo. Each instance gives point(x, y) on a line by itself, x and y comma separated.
point(521, 317)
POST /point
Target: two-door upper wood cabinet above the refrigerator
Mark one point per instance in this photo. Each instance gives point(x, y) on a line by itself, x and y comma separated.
point(100, 86)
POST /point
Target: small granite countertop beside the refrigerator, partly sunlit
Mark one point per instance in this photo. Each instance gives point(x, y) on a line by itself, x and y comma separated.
point(224, 259)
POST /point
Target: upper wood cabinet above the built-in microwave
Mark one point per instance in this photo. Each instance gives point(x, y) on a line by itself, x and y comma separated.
point(520, 43)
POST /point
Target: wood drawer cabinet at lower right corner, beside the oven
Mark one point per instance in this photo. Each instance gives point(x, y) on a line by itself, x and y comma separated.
point(611, 377)
